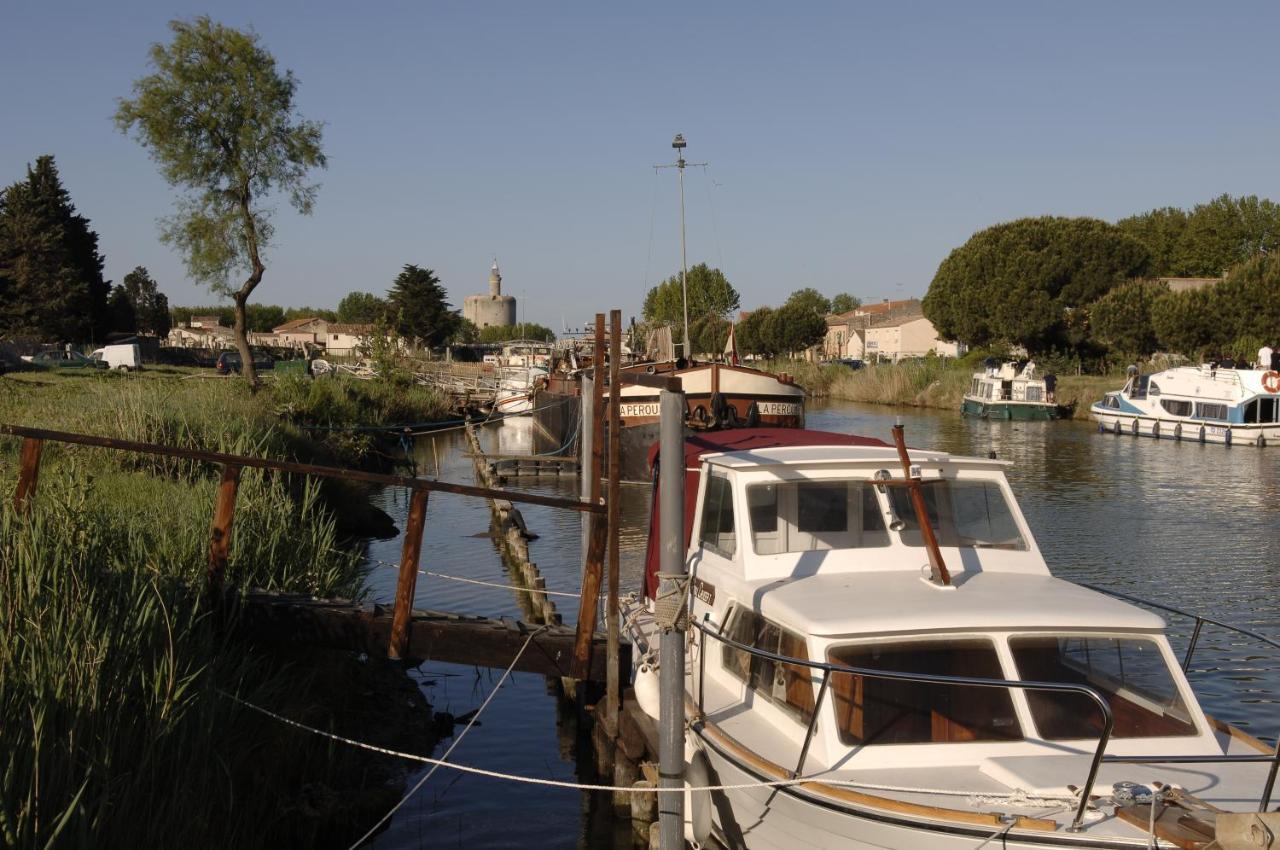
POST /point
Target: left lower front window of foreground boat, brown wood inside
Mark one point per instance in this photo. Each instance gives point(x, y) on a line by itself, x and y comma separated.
point(883, 711)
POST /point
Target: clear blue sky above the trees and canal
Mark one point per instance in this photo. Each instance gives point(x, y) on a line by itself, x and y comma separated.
point(852, 147)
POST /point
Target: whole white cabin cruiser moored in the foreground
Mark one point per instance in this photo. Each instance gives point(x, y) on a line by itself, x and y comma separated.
point(867, 680)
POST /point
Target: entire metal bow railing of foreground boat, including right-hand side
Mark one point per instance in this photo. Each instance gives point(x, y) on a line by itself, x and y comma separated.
point(710, 629)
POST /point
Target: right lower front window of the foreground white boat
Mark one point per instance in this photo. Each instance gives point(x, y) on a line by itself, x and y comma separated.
point(1131, 674)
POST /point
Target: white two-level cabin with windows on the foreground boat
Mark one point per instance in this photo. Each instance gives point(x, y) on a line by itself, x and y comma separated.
point(806, 546)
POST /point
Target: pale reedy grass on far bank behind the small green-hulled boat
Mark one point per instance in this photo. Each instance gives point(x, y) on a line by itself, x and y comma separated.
point(927, 383)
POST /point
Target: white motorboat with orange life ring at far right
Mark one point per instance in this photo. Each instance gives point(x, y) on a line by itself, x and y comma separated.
point(1200, 404)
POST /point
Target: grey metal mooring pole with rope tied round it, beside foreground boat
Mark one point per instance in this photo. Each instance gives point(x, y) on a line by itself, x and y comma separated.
point(671, 668)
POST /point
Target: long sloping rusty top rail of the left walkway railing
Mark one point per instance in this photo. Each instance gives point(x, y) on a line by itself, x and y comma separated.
point(300, 469)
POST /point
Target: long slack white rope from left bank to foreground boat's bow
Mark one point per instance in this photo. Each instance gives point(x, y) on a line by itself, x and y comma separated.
point(580, 787)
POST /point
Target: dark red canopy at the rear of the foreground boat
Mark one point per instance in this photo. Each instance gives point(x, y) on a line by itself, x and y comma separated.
point(735, 440)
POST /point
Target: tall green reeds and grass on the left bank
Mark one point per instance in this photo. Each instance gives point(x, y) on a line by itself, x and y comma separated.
point(113, 678)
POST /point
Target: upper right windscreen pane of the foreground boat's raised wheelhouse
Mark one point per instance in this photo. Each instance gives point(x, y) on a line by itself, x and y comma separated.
point(963, 514)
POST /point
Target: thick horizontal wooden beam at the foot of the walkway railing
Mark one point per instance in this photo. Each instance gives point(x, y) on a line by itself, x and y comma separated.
point(290, 619)
